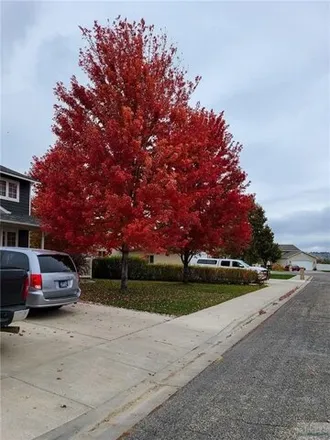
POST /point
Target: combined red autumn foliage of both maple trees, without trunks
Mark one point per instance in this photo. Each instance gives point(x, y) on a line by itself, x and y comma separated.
point(134, 166)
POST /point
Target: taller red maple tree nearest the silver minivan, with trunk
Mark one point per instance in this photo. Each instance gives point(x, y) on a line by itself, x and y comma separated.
point(104, 183)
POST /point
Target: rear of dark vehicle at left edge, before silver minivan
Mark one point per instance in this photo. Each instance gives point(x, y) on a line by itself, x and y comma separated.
point(14, 290)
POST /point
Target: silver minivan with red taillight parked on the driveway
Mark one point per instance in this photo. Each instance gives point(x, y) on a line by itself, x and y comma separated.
point(53, 278)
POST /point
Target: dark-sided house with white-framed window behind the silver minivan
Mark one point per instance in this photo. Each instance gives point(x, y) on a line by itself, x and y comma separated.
point(16, 220)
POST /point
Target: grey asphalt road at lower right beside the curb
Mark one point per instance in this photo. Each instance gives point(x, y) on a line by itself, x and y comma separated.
point(273, 385)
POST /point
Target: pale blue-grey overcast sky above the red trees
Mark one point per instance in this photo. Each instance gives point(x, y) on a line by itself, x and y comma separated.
point(266, 64)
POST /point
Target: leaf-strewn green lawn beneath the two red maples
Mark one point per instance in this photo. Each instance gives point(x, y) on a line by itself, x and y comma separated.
point(168, 298)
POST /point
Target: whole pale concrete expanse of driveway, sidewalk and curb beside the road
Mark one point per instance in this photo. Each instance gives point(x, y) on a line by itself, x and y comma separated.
point(91, 372)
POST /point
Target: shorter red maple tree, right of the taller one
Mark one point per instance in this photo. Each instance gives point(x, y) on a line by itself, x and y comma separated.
point(210, 204)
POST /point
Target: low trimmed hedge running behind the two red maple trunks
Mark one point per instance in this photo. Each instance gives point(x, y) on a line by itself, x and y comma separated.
point(138, 269)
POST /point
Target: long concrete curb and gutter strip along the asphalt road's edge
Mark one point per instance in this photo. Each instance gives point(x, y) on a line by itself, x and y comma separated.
point(113, 418)
